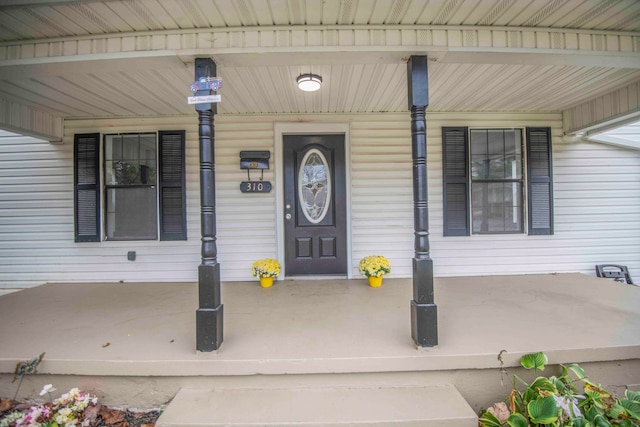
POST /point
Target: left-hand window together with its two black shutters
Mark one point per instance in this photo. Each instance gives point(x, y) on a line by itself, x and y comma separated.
point(144, 187)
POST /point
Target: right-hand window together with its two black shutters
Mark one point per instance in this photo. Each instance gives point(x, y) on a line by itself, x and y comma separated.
point(484, 183)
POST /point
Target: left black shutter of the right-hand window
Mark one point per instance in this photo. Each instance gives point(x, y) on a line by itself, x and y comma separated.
point(455, 178)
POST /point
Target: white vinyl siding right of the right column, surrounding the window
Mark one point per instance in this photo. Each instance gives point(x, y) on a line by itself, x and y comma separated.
point(596, 209)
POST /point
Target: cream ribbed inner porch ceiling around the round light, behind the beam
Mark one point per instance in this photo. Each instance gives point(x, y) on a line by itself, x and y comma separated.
point(353, 88)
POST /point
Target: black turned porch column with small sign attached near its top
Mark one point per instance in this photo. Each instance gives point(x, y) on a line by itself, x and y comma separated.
point(209, 315)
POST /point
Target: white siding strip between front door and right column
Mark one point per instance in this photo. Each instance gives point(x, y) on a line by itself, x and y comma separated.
point(381, 191)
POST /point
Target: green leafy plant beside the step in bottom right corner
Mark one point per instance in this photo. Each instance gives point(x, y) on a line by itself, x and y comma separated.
point(558, 401)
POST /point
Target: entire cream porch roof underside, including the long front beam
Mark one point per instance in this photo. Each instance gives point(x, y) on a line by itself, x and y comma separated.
point(92, 59)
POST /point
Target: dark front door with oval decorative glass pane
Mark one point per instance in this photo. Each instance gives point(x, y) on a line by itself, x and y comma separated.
point(315, 208)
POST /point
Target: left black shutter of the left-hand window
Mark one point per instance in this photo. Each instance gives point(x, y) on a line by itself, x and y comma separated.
point(86, 180)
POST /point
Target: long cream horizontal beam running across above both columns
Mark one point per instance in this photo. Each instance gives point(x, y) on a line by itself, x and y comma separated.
point(450, 44)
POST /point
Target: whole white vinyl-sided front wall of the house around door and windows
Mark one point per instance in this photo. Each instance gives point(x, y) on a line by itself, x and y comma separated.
point(596, 205)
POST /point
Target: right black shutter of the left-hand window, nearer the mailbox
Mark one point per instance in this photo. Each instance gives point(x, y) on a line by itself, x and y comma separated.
point(172, 179)
